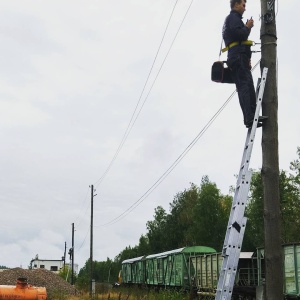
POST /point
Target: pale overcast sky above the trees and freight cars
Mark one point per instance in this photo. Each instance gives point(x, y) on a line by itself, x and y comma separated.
point(73, 74)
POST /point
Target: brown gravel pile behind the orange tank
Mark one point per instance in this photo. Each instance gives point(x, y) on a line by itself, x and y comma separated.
point(39, 278)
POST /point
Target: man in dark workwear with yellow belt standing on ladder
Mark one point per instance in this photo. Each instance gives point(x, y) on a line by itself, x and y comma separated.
point(235, 35)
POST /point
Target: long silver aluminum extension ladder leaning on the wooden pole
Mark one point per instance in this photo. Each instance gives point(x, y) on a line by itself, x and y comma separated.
point(237, 222)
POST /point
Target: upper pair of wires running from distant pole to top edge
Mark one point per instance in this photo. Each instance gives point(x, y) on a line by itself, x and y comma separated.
point(136, 115)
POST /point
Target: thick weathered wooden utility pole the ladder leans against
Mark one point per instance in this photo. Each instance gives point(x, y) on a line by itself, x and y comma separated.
point(270, 168)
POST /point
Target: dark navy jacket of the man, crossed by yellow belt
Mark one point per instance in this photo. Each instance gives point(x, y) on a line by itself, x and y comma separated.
point(234, 30)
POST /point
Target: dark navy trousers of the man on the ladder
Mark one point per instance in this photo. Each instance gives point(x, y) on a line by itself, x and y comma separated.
point(242, 77)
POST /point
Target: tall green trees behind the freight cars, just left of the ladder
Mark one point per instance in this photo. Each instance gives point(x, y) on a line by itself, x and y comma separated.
point(198, 216)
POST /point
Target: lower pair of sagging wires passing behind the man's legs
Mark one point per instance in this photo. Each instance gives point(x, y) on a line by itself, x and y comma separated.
point(174, 164)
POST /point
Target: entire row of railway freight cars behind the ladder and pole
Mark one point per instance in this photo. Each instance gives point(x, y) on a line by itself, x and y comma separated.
point(199, 267)
